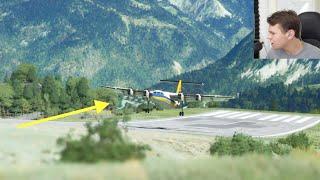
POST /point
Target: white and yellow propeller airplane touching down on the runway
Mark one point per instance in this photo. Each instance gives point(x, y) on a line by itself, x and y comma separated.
point(174, 99)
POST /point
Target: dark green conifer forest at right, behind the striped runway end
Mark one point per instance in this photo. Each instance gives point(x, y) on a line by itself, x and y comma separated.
point(279, 97)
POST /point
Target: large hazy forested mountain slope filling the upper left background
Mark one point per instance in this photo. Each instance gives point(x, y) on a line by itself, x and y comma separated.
point(124, 43)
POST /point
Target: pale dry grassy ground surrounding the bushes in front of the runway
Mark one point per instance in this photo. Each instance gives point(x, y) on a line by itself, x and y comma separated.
point(31, 154)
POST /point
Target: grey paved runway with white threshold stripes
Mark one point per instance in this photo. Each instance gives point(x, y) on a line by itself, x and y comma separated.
point(227, 122)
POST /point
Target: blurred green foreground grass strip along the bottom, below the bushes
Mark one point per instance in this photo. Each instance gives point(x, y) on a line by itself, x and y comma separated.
point(295, 166)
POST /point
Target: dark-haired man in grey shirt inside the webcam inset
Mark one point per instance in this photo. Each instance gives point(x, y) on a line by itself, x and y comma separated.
point(284, 36)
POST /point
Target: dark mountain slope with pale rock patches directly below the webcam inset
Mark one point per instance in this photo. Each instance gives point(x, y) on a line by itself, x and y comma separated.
point(238, 71)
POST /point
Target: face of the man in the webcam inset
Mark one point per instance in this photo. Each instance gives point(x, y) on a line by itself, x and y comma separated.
point(278, 39)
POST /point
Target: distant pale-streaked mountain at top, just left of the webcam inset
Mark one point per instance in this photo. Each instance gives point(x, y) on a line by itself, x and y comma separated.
point(228, 17)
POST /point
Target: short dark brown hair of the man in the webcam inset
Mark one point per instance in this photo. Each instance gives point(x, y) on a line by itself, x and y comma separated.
point(287, 20)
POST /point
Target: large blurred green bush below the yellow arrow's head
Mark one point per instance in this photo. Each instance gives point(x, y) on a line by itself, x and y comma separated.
point(103, 141)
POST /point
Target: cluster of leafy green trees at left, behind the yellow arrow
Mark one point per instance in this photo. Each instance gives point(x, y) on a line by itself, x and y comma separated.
point(25, 92)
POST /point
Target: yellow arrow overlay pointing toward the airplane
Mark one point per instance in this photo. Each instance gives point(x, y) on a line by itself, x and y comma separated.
point(98, 106)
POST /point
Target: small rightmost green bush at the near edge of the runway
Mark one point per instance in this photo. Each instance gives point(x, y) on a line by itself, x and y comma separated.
point(300, 140)
